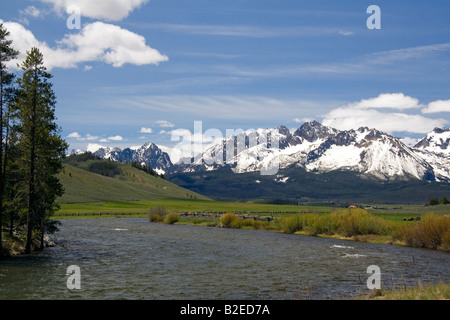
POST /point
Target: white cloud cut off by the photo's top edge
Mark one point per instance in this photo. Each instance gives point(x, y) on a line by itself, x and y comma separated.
point(114, 10)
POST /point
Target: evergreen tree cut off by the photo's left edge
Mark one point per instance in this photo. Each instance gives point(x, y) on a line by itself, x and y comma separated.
point(7, 53)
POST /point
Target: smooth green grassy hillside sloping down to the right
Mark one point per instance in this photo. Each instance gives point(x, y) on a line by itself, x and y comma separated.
point(124, 184)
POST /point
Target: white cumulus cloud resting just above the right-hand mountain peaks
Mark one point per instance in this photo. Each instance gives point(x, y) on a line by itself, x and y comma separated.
point(383, 114)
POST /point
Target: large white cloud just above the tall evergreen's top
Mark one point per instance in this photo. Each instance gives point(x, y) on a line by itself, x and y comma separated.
point(97, 41)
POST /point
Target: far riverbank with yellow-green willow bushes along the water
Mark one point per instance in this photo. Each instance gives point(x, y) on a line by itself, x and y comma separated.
point(424, 230)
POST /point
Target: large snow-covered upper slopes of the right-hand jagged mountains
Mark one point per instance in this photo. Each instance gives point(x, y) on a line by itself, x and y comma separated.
point(318, 148)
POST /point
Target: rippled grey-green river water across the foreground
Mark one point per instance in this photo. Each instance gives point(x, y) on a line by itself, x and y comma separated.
point(131, 258)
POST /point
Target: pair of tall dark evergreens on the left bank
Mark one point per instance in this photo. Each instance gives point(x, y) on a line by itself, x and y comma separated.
point(31, 149)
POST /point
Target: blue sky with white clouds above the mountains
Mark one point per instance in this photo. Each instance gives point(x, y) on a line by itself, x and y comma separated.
point(140, 70)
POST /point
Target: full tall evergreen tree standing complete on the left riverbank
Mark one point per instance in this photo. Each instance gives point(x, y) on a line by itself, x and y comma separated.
point(41, 148)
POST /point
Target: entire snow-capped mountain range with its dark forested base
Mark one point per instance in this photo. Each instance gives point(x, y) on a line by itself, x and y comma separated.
point(313, 161)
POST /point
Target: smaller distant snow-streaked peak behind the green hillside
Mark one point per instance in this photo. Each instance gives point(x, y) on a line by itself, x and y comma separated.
point(149, 154)
